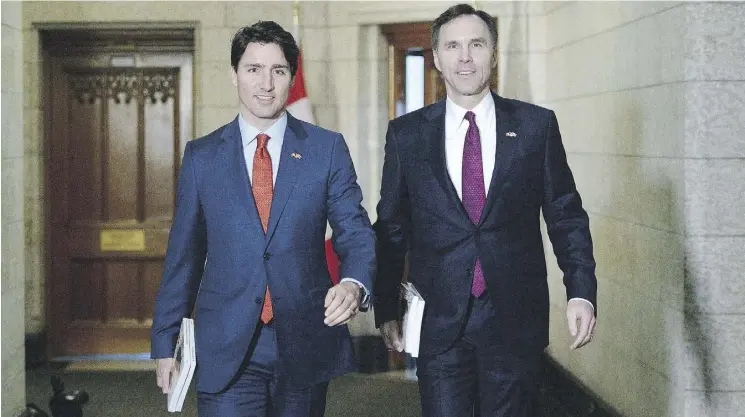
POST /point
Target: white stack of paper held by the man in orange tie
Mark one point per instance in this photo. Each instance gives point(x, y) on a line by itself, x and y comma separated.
point(185, 361)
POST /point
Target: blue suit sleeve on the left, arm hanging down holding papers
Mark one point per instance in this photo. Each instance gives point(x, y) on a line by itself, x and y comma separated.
point(184, 263)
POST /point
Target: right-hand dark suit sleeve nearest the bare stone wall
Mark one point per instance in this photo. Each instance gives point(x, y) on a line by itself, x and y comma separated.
point(567, 222)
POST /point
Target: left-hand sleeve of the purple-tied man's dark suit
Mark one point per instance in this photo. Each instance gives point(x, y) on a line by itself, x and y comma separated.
point(391, 228)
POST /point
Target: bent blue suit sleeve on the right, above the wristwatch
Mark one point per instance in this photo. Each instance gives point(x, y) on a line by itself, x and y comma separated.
point(353, 238)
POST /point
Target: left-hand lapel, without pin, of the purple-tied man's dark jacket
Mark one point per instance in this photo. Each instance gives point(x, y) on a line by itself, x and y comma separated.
point(433, 133)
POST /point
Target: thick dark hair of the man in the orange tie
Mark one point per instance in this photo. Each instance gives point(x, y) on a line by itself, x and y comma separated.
point(265, 32)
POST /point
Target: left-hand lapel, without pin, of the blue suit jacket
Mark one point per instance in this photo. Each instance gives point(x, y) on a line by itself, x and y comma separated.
point(237, 173)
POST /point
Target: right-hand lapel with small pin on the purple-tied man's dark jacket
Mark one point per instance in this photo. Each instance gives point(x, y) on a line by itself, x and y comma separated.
point(506, 146)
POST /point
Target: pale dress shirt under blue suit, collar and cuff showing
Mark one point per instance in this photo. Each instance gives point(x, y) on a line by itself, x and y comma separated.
point(276, 133)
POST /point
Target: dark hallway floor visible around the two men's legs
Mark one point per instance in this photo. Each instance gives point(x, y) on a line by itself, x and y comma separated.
point(119, 389)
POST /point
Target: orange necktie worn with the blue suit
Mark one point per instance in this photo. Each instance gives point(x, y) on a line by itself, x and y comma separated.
point(263, 190)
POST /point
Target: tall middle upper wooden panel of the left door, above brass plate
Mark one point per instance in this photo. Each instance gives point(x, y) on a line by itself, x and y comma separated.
point(121, 166)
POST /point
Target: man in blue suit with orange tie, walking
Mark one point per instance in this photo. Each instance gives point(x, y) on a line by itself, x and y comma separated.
point(246, 249)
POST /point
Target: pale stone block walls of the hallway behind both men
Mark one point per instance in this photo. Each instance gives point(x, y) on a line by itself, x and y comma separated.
point(649, 97)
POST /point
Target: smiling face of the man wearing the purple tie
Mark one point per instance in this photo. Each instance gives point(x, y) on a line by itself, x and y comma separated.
point(465, 57)
